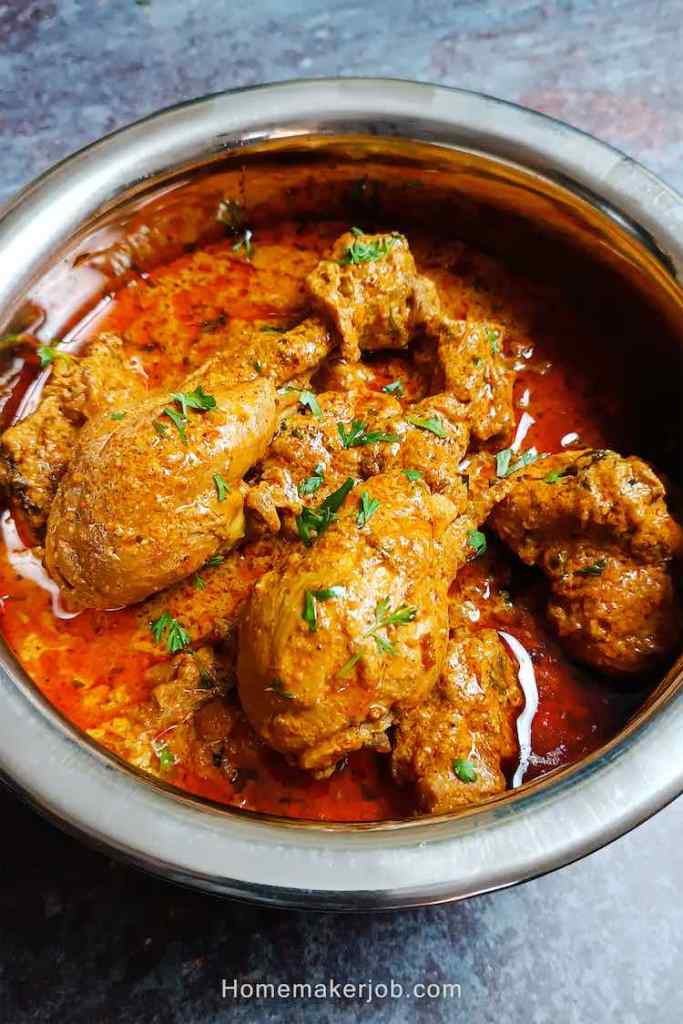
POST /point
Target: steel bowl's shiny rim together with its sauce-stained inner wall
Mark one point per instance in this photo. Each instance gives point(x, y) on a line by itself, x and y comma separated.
point(586, 208)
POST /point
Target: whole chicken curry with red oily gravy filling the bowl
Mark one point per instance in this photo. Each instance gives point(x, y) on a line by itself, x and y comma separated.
point(333, 523)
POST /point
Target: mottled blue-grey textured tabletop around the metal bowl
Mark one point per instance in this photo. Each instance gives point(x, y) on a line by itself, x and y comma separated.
point(82, 940)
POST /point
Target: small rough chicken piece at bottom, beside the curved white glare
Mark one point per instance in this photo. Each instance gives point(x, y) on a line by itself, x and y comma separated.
point(454, 746)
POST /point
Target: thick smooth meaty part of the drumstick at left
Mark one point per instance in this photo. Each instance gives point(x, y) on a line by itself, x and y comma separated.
point(148, 500)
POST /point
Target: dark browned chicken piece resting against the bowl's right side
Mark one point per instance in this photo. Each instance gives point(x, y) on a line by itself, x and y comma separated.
point(599, 527)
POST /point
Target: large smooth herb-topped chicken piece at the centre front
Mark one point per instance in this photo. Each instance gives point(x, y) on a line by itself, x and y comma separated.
point(351, 628)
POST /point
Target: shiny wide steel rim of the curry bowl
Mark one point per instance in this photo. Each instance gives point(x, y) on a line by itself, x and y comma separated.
point(317, 868)
